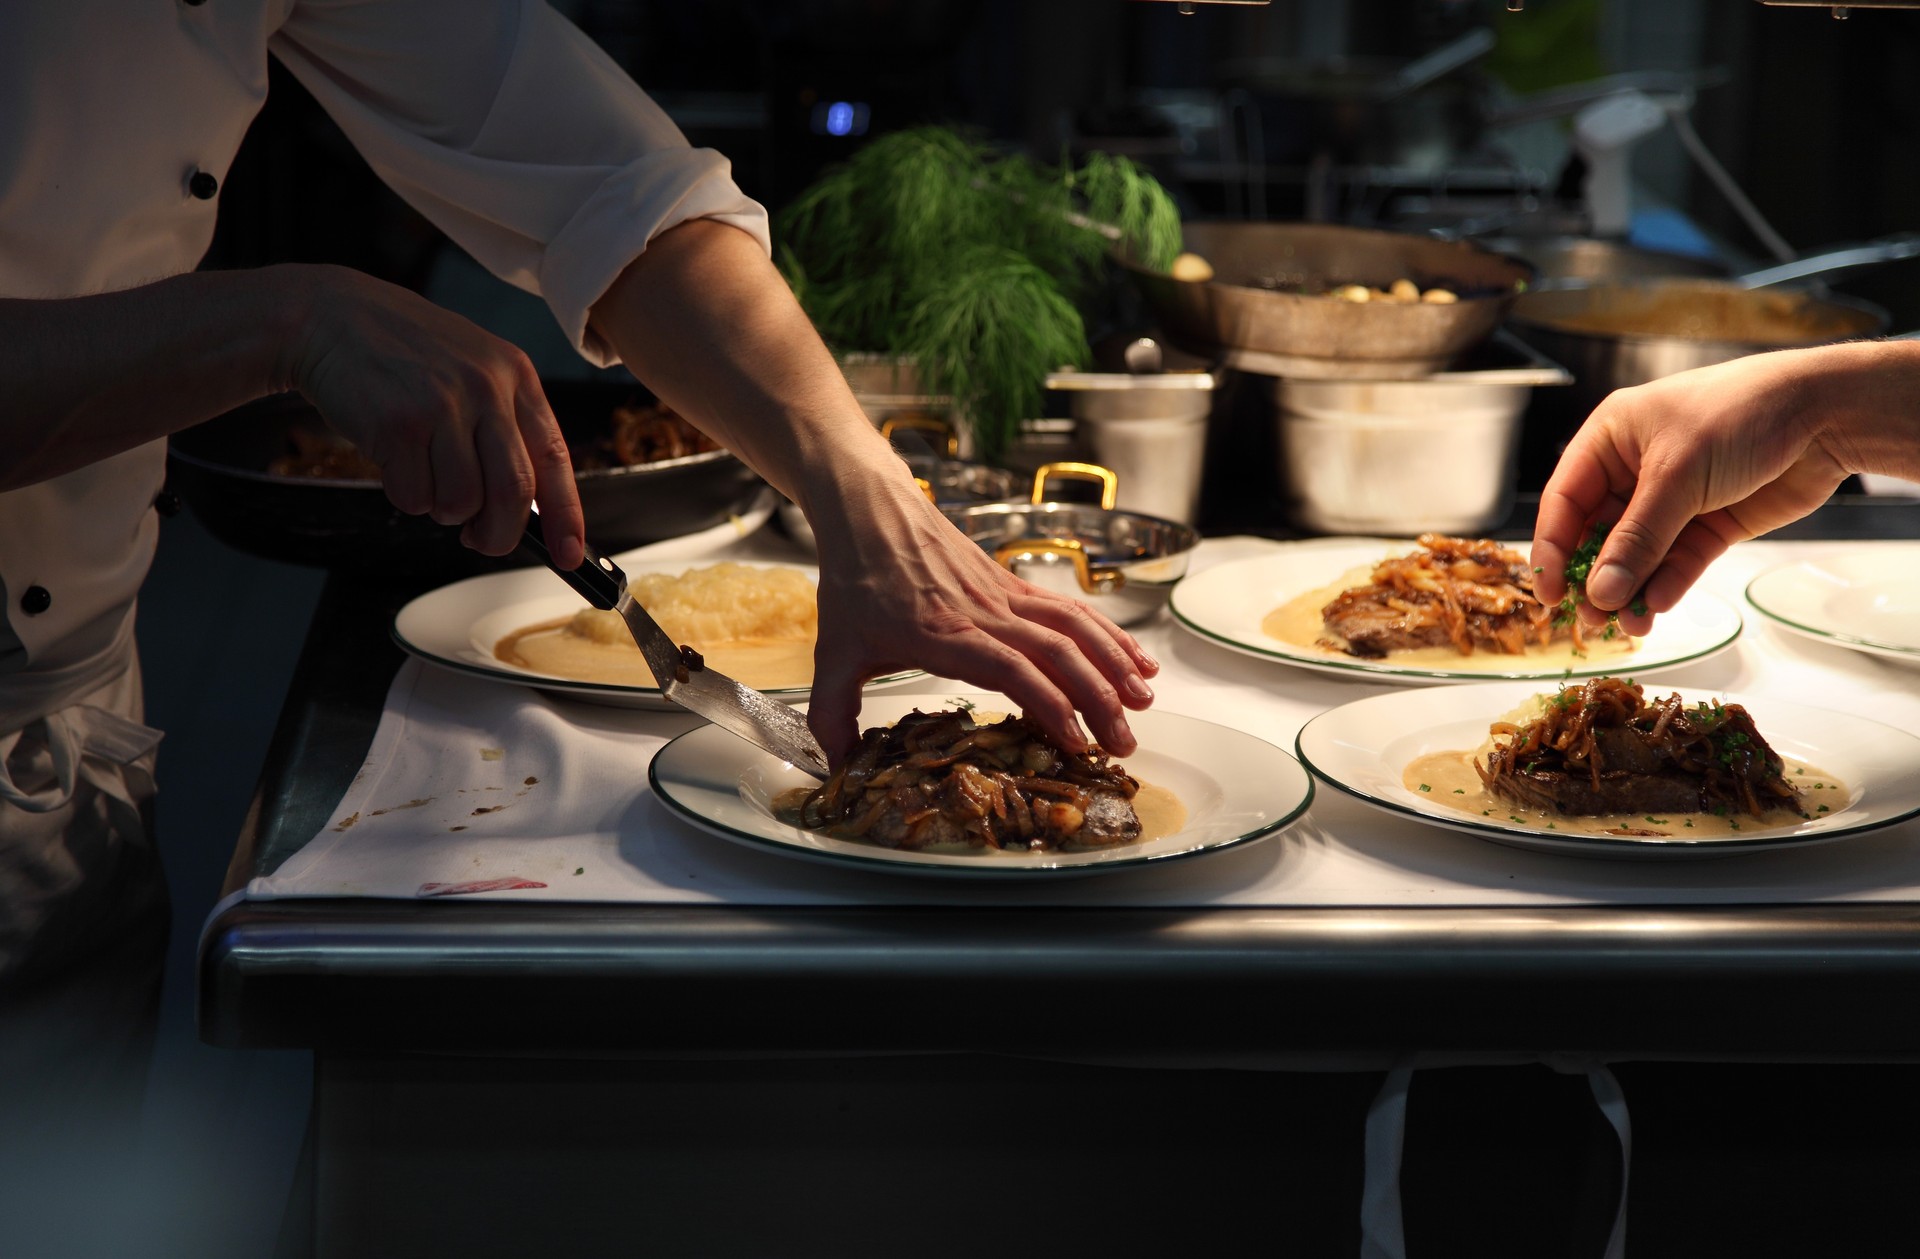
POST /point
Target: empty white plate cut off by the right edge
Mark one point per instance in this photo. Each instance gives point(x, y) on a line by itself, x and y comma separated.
point(1865, 600)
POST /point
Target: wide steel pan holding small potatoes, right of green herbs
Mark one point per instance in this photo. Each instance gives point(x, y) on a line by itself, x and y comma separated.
point(1266, 306)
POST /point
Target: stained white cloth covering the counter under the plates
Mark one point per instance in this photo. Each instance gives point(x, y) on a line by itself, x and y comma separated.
point(588, 828)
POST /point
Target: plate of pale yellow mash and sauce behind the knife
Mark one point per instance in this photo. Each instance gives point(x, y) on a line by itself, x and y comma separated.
point(752, 621)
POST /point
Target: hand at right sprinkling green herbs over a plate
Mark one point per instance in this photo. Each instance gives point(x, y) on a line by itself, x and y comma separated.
point(1687, 467)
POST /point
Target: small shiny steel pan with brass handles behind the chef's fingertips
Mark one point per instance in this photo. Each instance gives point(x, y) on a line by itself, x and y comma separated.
point(1116, 561)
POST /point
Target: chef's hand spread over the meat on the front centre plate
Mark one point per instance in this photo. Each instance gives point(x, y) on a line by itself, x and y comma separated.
point(903, 588)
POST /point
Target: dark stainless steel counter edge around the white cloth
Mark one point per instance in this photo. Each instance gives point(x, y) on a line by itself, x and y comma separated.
point(1330, 987)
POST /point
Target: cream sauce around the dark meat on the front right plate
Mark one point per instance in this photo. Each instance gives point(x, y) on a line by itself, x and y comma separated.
point(1451, 780)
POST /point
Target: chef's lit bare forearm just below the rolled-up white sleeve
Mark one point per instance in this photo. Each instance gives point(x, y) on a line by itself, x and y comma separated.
point(708, 323)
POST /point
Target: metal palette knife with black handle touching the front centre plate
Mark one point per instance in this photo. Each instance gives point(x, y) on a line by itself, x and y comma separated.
point(684, 678)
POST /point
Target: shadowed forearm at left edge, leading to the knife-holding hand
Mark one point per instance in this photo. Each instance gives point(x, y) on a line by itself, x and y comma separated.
point(91, 377)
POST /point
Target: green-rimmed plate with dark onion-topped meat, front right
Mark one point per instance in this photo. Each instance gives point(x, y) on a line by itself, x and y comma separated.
point(1614, 769)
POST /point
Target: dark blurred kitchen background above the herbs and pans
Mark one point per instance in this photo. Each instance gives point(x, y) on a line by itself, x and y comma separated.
point(1243, 112)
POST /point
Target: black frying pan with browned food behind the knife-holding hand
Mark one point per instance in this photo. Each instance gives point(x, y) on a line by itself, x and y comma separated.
point(220, 473)
